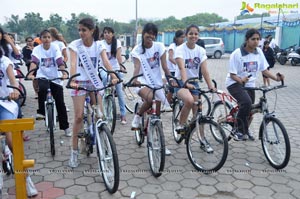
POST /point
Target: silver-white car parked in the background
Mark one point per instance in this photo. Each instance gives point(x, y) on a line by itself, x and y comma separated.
point(214, 46)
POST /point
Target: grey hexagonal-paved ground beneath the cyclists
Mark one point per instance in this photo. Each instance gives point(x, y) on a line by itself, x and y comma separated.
point(246, 173)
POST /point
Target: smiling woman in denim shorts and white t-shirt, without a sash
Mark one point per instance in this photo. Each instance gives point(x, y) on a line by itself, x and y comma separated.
point(191, 59)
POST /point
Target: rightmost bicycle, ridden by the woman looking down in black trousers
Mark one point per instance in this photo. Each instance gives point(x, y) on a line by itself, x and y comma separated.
point(272, 132)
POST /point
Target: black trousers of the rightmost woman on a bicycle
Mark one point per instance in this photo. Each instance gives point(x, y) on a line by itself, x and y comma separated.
point(245, 98)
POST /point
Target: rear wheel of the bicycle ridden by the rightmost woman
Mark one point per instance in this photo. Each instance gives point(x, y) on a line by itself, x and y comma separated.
point(220, 113)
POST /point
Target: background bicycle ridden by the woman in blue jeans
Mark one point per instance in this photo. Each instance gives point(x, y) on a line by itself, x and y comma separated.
point(109, 103)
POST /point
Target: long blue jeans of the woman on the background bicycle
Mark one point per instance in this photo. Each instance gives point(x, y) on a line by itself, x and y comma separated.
point(119, 91)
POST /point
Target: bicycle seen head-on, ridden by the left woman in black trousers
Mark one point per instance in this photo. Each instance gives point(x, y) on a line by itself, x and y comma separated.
point(50, 110)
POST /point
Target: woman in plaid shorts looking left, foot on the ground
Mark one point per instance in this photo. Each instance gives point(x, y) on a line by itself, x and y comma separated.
point(95, 52)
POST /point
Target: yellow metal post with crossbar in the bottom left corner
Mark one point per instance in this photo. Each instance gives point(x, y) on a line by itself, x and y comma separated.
point(16, 127)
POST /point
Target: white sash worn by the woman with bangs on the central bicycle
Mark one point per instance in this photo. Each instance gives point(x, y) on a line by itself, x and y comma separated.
point(159, 94)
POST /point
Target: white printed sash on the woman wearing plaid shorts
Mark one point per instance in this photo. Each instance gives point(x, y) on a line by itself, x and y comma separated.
point(89, 67)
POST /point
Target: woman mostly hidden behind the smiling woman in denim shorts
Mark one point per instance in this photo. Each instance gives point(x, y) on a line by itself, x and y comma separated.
point(177, 41)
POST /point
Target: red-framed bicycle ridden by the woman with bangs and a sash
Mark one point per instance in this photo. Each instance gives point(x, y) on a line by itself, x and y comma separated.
point(153, 130)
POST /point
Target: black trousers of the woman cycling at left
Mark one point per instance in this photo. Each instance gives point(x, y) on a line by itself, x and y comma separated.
point(58, 95)
